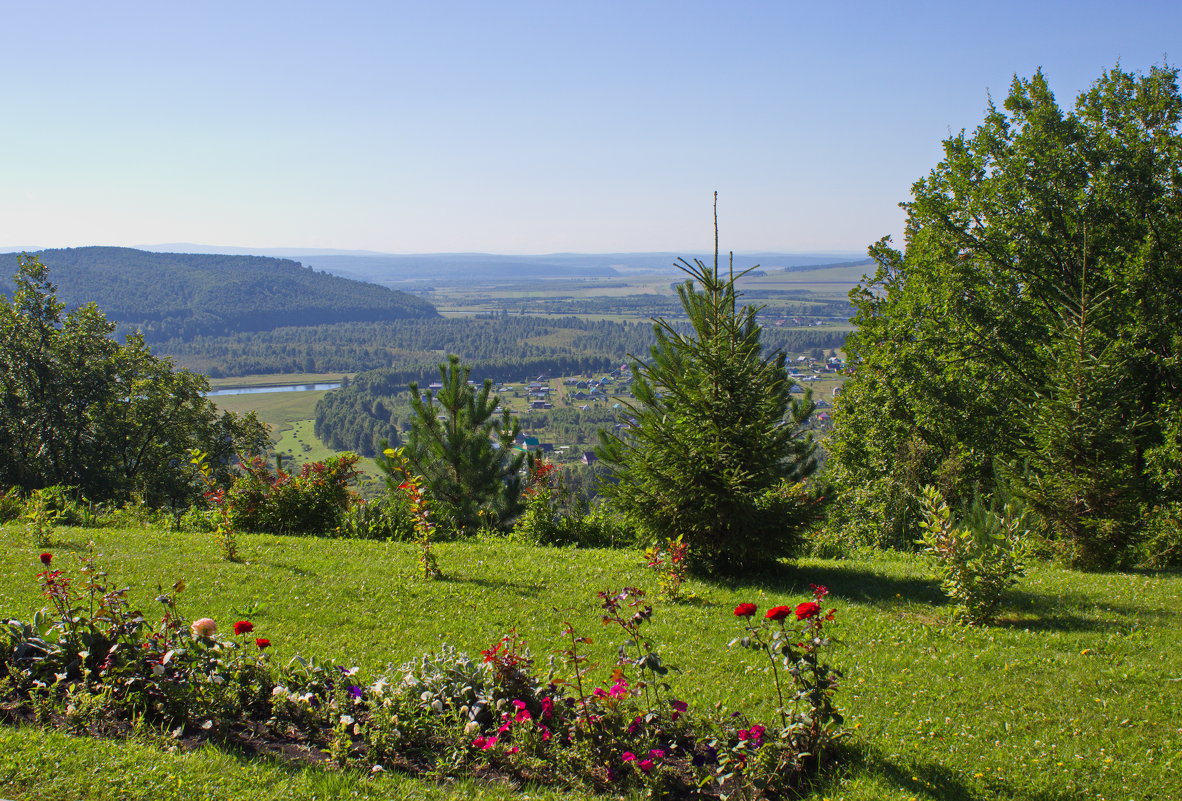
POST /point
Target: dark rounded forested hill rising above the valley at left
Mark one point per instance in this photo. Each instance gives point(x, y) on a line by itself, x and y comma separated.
point(178, 296)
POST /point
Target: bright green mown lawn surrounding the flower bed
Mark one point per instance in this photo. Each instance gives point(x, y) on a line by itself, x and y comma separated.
point(1074, 695)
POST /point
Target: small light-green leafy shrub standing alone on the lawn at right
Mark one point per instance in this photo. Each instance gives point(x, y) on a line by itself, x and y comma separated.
point(978, 559)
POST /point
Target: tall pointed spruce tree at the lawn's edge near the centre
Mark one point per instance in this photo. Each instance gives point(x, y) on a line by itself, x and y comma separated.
point(715, 431)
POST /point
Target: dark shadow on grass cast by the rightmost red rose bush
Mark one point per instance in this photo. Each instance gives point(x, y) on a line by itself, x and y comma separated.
point(926, 780)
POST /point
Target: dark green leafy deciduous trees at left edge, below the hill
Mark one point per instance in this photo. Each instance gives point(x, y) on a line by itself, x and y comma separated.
point(109, 420)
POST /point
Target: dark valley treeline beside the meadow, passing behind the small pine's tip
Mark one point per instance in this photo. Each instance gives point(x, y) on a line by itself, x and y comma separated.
point(375, 407)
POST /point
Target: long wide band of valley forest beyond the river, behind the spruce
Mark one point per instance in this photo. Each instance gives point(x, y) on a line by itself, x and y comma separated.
point(359, 347)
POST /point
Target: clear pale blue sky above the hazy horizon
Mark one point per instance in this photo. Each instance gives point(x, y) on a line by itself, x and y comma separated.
point(515, 127)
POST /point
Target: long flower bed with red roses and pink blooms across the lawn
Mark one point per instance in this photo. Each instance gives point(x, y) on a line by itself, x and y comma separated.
point(94, 665)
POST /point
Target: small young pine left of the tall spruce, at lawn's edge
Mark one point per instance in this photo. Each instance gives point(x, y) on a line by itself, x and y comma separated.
point(472, 481)
